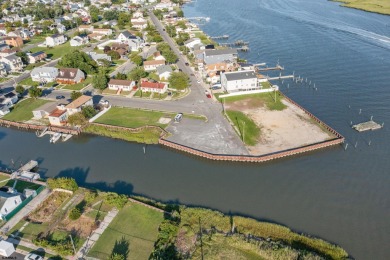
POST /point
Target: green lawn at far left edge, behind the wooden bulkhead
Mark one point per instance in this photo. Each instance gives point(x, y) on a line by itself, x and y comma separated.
point(22, 111)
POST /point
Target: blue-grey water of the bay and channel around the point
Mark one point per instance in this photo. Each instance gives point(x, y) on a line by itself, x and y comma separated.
point(341, 196)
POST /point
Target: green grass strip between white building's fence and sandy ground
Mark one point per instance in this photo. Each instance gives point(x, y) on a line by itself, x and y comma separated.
point(261, 99)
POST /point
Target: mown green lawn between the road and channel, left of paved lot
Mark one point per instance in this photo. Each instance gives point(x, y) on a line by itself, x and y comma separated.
point(133, 118)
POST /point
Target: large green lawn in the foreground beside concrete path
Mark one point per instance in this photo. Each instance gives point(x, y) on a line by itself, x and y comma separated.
point(134, 229)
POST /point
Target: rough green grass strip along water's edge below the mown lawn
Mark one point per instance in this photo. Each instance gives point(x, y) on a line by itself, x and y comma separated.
point(147, 135)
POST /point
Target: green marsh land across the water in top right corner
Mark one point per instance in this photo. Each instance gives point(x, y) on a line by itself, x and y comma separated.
point(376, 6)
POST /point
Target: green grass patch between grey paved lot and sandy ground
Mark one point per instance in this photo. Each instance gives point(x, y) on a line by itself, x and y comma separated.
point(248, 130)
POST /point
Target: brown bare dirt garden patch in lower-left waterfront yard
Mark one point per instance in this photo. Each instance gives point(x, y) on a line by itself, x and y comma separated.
point(46, 209)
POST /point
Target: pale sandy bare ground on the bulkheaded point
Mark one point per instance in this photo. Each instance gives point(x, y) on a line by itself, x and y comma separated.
point(282, 130)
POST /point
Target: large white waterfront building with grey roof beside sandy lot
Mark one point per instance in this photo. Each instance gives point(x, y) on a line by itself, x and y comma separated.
point(239, 81)
